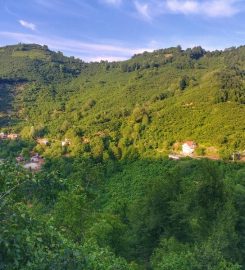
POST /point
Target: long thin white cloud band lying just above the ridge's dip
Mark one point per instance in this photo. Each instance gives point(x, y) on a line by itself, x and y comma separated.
point(77, 48)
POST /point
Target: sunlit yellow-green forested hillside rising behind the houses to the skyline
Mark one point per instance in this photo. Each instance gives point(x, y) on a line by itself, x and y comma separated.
point(143, 107)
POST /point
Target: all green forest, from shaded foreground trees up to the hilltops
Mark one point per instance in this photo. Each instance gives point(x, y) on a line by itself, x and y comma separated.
point(107, 195)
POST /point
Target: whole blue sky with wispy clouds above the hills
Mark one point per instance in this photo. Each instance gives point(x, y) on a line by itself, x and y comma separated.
point(95, 30)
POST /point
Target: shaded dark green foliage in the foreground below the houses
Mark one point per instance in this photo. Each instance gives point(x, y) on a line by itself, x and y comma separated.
point(142, 214)
